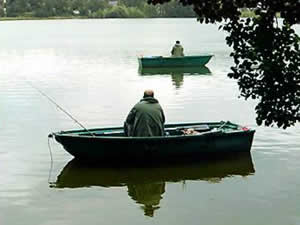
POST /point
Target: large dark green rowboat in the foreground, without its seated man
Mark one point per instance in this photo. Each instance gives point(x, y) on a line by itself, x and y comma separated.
point(180, 140)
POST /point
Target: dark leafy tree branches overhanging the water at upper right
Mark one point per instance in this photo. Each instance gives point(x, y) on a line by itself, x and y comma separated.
point(266, 54)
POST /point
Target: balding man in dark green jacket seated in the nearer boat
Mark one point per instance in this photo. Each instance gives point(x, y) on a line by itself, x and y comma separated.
point(146, 118)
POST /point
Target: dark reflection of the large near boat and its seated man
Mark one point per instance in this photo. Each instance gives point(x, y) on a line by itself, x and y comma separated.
point(146, 185)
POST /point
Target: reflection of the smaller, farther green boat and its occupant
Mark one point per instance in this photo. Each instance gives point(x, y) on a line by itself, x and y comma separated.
point(177, 73)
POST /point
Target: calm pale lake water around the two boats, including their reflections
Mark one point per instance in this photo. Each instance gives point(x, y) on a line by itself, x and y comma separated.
point(90, 68)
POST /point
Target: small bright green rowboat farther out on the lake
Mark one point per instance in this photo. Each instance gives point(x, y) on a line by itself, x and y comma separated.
point(182, 61)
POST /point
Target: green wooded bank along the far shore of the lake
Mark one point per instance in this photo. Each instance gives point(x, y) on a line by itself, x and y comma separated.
point(93, 9)
